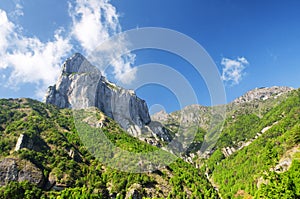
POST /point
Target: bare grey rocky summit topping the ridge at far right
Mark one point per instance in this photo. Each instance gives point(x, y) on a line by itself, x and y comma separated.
point(263, 93)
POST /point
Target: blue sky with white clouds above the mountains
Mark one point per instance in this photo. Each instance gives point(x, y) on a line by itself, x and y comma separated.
point(253, 43)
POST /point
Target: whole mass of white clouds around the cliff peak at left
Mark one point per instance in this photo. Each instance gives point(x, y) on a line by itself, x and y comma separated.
point(32, 61)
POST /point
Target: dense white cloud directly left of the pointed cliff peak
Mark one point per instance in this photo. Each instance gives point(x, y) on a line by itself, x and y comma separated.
point(37, 62)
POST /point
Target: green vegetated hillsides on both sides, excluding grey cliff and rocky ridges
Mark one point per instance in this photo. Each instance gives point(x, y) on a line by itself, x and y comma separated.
point(43, 156)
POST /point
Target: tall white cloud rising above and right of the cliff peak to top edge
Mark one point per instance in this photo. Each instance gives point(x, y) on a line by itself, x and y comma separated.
point(94, 22)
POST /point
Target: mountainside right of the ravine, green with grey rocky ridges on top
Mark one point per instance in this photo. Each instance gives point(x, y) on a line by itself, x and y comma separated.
point(260, 129)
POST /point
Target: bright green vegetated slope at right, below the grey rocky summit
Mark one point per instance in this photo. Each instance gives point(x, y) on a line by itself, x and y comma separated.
point(262, 169)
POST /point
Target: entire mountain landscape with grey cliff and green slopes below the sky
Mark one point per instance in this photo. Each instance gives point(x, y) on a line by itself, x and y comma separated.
point(252, 153)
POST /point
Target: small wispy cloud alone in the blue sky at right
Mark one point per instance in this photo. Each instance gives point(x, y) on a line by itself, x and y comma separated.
point(233, 69)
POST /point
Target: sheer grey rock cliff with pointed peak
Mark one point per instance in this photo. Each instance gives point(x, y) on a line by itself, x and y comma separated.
point(81, 85)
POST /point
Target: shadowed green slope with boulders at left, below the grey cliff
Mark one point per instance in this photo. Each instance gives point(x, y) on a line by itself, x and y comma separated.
point(60, 166)
